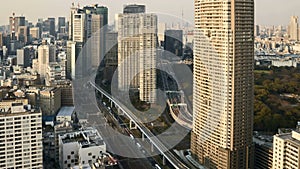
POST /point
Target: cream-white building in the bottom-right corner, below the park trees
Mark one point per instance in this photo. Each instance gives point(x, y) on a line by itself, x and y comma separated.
point(286, 150)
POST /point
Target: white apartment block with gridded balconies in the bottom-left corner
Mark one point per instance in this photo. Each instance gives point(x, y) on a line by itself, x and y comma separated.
point(21, 137)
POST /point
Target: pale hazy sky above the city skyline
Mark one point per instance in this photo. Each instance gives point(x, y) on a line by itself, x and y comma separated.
point(268, 12)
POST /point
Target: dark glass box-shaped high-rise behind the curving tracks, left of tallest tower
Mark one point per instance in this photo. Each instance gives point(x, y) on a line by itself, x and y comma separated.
point(173, 42)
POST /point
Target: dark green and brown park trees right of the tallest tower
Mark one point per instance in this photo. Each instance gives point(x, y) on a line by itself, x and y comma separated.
point(276, 103)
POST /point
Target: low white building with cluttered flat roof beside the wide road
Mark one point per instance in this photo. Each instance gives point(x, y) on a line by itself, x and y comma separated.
point(80, 148)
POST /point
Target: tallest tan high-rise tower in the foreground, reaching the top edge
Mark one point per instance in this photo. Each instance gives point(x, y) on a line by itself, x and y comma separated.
point(223, 83)
